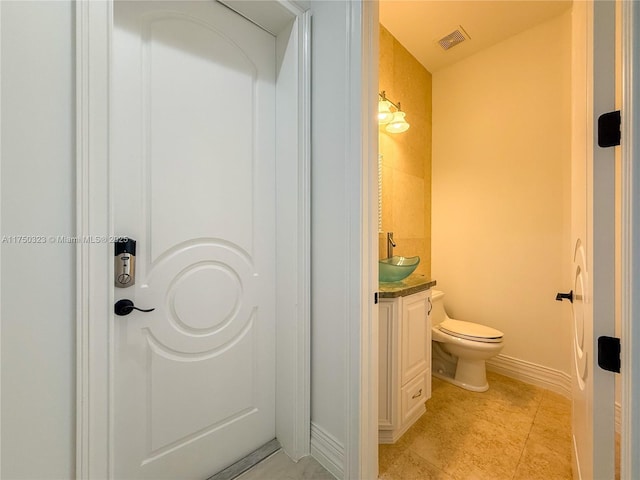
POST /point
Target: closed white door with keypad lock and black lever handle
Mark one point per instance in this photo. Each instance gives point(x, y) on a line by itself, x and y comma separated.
point(193, 182)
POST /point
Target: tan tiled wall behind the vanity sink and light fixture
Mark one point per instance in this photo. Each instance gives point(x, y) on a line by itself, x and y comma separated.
point(406, 170)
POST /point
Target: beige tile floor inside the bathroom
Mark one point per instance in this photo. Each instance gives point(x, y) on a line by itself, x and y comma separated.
point(514, 431)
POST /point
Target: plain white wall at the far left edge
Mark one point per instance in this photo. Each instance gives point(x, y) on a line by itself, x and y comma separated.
point(38, 196)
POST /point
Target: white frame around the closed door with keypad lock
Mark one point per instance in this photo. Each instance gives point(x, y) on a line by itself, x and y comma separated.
point(291, 26)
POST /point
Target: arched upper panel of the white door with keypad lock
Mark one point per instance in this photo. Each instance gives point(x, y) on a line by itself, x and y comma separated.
point(214, 133)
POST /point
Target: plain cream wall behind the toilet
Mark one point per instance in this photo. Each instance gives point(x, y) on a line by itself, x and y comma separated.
point(501, 190)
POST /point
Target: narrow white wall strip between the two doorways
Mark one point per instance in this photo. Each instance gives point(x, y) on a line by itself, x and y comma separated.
point(329, 218)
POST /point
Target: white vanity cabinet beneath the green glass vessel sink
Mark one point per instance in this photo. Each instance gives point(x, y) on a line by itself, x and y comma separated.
point(404, 363)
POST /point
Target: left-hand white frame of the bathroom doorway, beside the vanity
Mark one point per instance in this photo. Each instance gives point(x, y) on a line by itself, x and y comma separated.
point(361, 449)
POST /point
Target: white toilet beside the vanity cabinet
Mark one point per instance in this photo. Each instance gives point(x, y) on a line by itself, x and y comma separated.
point(460, 349)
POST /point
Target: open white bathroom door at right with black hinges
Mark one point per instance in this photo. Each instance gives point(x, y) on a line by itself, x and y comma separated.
point(593, 240)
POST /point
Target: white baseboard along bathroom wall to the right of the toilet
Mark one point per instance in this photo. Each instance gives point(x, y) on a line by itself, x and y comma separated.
point(528, 372)
